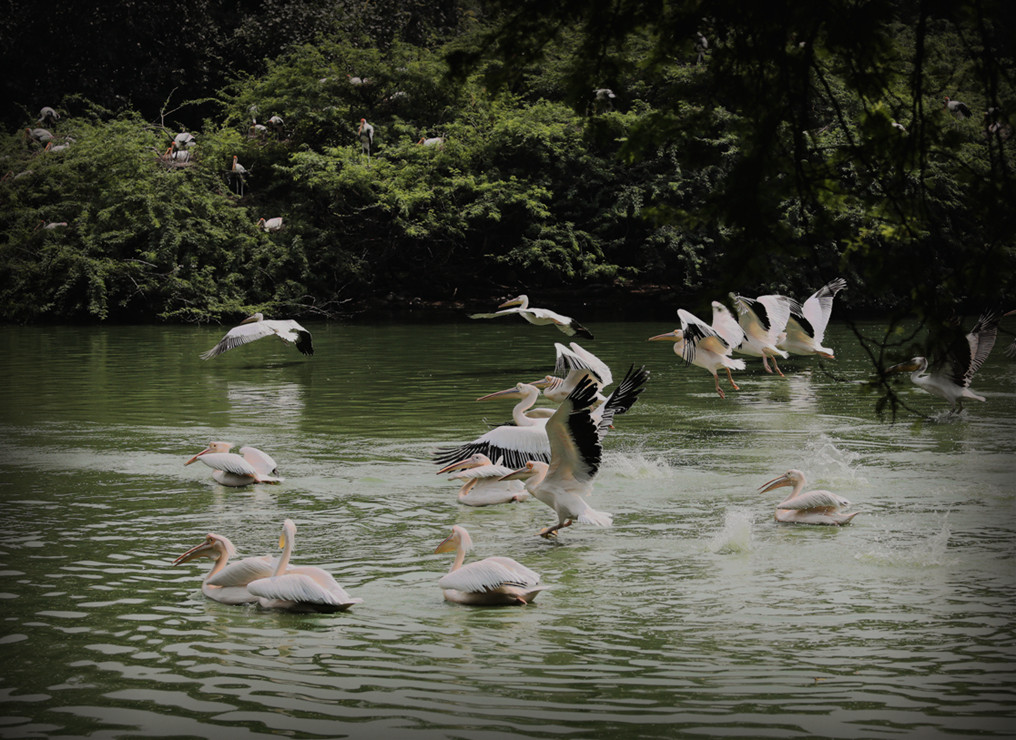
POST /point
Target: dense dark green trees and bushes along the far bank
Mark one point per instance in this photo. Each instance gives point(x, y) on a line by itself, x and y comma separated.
point(767, 159)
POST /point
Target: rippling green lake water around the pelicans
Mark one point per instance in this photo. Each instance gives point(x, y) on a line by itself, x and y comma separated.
point(695, 615)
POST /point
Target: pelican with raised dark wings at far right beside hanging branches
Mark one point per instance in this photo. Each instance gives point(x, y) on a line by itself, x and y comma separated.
point(950, 378)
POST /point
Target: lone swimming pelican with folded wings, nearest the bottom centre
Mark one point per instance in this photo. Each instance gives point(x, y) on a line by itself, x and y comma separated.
point(491, 582)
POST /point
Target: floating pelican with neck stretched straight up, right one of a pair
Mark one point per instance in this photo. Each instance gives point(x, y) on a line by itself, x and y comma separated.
point(304, 589)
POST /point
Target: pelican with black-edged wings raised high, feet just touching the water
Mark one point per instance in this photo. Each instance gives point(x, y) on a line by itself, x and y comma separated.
point(576, 453)
